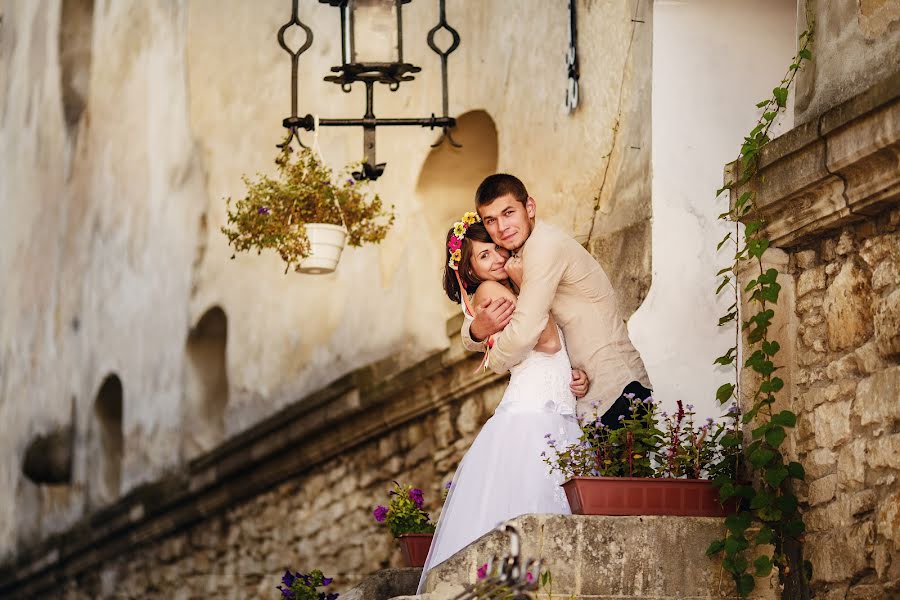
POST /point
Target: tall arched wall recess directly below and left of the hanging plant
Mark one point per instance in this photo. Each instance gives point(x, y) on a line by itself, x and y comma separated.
point(206, 383)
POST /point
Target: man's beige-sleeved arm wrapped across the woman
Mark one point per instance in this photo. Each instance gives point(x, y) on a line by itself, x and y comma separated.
point(543, 266)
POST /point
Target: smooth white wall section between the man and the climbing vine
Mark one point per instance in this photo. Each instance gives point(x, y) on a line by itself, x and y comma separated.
point(702, 107)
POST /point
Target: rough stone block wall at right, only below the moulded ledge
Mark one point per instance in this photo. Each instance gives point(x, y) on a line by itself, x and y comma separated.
point(846, 391)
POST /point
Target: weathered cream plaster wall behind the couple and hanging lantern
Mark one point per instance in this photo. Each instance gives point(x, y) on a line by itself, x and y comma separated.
point(123, 125)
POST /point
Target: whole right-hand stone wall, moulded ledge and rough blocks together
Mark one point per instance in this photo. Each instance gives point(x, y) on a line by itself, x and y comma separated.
point(829, 193)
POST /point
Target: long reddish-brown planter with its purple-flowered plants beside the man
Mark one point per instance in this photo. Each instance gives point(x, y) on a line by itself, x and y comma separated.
point(649, 468)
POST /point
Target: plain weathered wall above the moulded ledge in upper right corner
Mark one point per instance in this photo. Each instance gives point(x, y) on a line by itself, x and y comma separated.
point(857, 44)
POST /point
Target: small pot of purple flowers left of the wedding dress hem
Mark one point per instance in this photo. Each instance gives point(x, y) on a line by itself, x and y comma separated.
point(408, 523)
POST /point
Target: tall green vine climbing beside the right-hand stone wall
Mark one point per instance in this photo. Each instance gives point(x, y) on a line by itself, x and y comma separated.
point(768, 509)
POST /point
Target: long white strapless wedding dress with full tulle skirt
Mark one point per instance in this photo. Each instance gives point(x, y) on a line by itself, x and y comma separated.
point(503, 474)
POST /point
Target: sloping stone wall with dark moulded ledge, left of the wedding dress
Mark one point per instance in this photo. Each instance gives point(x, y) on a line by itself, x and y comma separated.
point(297, 491)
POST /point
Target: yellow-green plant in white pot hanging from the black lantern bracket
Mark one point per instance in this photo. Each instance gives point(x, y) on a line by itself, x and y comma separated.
point(306, 215)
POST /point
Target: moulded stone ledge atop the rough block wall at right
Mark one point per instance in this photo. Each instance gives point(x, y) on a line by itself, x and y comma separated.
point(827, 173)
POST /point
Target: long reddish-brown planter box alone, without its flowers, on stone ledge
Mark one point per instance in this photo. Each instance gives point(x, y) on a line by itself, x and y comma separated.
point(636, 496)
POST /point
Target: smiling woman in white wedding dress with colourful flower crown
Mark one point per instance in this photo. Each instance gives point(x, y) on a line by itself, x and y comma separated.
point(503, 474)
